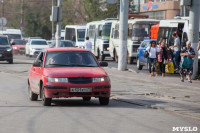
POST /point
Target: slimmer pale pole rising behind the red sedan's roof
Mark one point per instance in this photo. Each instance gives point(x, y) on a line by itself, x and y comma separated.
point(58, 26)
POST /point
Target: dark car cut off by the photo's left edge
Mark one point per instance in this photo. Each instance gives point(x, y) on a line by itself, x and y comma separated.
point(5, 50)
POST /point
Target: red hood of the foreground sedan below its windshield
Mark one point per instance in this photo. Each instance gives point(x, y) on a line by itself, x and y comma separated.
point(75, 72)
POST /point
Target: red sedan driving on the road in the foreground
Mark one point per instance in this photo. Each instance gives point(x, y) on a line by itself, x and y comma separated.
point(68, 72)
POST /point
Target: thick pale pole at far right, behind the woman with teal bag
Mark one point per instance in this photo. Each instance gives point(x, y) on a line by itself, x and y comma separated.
point(194, 32)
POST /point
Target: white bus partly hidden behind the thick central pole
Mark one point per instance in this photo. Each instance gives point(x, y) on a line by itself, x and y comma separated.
point(138, 30)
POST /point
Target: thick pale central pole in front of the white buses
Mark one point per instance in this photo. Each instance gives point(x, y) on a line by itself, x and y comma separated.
point(123, 35)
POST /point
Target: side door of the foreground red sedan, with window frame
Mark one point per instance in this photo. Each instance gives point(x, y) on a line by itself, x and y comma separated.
point(37, 73)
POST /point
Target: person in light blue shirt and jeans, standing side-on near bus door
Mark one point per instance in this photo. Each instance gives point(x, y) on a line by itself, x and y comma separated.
point(177, 48)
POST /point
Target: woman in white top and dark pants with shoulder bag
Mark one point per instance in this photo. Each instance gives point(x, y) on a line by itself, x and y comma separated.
point(152, 49)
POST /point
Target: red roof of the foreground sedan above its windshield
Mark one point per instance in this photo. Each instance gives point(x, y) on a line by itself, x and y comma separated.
point(65, 49)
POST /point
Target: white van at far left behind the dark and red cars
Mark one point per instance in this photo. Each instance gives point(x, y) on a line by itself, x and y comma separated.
point(13, 33)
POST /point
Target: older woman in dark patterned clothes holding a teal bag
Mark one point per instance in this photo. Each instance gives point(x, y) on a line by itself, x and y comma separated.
point(187, 62)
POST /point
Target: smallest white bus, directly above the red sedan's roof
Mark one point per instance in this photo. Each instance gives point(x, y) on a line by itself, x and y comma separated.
point(75, 33)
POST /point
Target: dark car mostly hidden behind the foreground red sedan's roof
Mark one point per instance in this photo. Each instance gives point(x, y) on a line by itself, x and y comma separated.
point(63, 43)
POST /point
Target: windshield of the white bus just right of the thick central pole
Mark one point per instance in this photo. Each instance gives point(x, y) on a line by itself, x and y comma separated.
point(140, 32)
